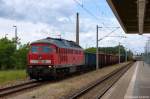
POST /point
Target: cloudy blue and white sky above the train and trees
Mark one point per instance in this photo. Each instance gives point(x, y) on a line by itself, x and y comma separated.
point(37, 19)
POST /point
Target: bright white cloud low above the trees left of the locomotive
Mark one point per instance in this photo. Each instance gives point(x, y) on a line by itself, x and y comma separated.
point(27, 31)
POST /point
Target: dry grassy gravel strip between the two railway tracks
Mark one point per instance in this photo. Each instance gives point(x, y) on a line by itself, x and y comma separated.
point(61, 88)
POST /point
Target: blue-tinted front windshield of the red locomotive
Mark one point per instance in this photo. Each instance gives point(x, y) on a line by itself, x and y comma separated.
point(44, 49)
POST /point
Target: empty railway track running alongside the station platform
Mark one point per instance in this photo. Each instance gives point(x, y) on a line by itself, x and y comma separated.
point(97, 89)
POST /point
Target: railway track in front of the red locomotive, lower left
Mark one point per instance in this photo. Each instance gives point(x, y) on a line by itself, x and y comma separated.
point(19, 87)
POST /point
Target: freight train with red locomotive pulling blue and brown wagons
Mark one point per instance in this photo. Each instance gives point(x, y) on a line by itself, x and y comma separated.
point(52, 57)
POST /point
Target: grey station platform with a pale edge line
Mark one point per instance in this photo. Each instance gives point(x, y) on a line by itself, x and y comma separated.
point(134, 84)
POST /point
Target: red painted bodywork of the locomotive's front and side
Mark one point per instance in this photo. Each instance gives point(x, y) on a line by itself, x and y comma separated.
point(59, 56)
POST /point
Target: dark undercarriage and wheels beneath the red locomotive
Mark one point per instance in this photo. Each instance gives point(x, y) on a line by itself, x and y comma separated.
point(46, 72)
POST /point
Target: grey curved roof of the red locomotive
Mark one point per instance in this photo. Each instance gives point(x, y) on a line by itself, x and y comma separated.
point(59, 42)
